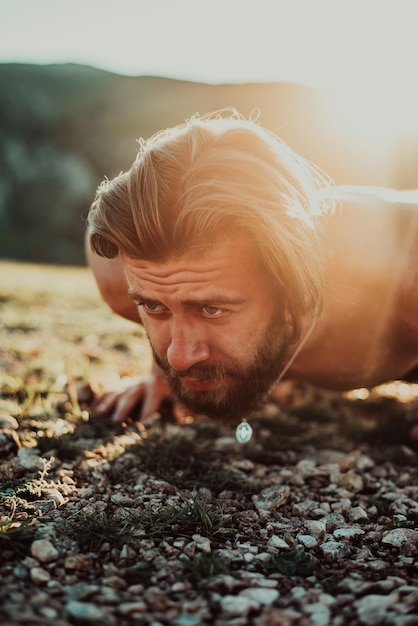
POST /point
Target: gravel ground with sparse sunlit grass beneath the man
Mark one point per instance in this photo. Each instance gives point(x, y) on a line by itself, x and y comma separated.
point(314, 522)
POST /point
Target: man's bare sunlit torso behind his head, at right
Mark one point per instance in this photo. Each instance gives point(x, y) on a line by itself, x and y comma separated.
point(367, 332)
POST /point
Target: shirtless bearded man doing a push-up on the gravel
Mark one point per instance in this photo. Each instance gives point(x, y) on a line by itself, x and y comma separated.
point(245, 265)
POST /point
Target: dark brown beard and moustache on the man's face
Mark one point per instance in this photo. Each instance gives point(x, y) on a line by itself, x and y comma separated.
point(242, 388)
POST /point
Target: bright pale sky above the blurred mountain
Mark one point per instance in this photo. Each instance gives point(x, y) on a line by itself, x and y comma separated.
point(336, 44)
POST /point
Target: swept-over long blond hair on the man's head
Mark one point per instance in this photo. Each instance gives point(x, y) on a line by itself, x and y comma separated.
point(218, 174)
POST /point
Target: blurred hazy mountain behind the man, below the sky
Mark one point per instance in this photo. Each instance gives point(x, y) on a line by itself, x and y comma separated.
point(63, 128)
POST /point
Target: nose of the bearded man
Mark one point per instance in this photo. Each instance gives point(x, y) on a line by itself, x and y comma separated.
point(187, 347)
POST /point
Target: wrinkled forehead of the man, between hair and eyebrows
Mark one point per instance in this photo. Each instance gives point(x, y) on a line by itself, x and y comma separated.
point(229, 265)
